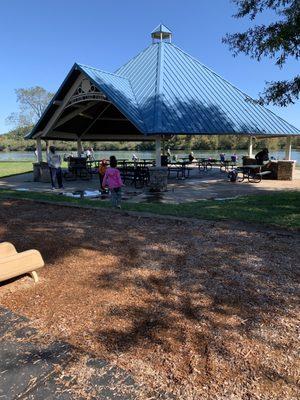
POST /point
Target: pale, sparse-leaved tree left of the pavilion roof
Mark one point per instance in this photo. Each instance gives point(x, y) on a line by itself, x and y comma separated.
point(32, 103)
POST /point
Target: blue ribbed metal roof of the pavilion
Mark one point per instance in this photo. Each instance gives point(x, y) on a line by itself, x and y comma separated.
point(165, 90)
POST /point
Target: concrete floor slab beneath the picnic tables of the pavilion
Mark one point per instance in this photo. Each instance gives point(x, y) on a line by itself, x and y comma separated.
point(200, 186)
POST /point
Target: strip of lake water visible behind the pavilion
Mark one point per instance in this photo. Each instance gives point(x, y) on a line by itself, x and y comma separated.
point(99, 155)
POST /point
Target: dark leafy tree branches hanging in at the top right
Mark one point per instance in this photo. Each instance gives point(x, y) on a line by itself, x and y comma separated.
point(278, 40)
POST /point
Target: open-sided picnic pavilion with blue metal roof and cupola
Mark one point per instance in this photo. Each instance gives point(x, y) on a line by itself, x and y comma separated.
point(161, 92)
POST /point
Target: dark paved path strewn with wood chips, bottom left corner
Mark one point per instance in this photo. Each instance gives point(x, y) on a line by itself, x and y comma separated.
point(31, 369)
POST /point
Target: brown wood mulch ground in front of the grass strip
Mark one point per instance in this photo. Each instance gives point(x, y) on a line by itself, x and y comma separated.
point(202, 310)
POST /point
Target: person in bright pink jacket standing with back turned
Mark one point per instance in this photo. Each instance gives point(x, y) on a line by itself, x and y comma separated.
point(112, 179)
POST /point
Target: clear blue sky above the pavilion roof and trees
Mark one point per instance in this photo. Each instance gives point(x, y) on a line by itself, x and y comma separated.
point(41, 40)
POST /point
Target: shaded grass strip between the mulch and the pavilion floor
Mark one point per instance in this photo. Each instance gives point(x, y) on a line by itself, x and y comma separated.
point(281, 209)
